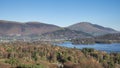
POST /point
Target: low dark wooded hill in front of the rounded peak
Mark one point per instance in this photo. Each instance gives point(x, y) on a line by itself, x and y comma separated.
point(65, 33)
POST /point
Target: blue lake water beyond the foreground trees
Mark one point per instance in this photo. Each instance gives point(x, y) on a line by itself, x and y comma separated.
point(115, 47)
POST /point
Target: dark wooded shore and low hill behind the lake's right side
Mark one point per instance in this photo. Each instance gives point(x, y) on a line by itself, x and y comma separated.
point(108, 38)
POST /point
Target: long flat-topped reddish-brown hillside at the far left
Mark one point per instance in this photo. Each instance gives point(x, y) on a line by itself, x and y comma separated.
point(12, 28)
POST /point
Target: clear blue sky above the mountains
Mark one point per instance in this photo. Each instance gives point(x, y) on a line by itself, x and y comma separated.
point(62, 12)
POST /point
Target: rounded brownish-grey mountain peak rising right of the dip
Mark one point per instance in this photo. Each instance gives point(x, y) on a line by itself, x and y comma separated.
point(92, 29)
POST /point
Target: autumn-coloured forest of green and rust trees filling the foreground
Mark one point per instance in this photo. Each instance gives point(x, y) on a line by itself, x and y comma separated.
point(45, 55)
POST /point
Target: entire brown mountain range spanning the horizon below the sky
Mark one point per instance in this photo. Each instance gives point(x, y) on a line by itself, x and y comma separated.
point(79, 30)
